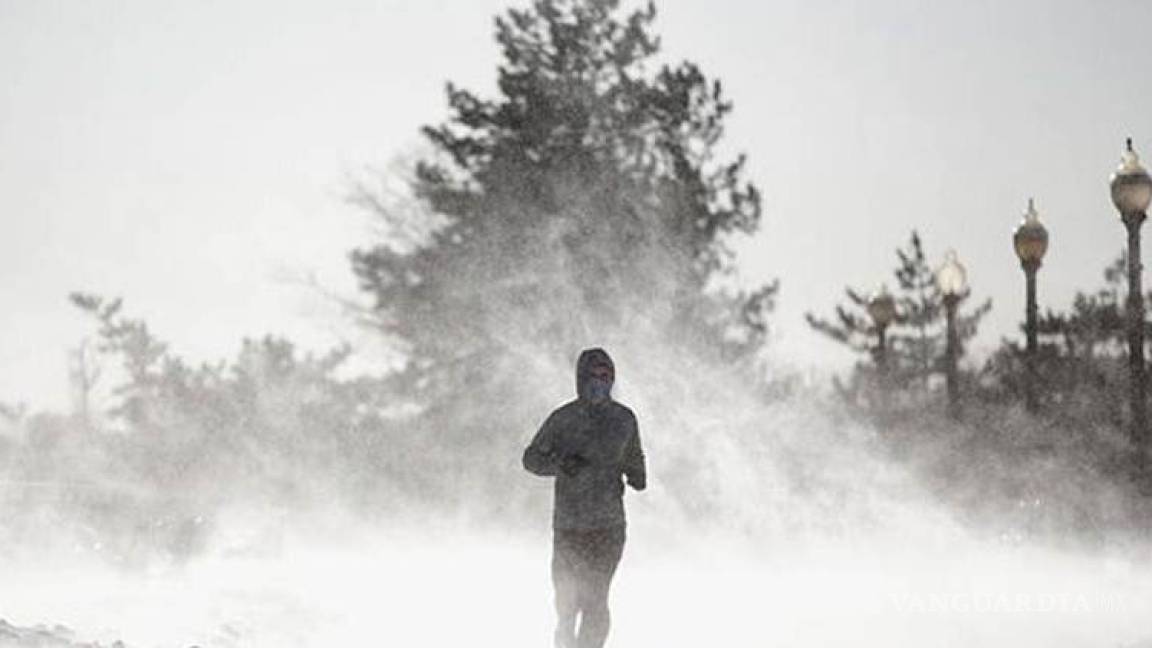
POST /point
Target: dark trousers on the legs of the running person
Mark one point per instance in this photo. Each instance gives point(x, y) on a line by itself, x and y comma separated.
point(583, 562)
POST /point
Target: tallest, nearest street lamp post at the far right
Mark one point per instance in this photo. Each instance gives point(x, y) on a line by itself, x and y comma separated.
point(1132, 192)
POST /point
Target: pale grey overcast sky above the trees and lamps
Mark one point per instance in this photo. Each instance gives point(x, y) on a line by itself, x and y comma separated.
point(193, 157)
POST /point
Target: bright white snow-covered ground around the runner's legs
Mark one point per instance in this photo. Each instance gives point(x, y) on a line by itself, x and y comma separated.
point(442, 590)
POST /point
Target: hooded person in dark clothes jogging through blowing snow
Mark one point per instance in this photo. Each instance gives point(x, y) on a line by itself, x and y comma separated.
point(592, 446)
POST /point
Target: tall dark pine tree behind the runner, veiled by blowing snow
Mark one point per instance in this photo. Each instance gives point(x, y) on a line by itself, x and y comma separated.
point(582, 206)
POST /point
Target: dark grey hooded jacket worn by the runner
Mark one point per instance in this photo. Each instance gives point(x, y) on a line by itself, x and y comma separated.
point(590, 449)
